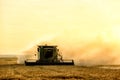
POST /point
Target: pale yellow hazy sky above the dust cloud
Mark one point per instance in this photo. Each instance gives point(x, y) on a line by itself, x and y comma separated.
point(23, 22)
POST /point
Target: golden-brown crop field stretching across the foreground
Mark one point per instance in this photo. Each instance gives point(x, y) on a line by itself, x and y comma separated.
point(21, 72)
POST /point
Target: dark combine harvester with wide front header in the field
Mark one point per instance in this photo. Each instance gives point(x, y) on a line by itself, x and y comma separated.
point(49, 55)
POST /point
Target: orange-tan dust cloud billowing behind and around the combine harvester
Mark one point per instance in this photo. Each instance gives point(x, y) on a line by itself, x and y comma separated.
point(95, 51)
